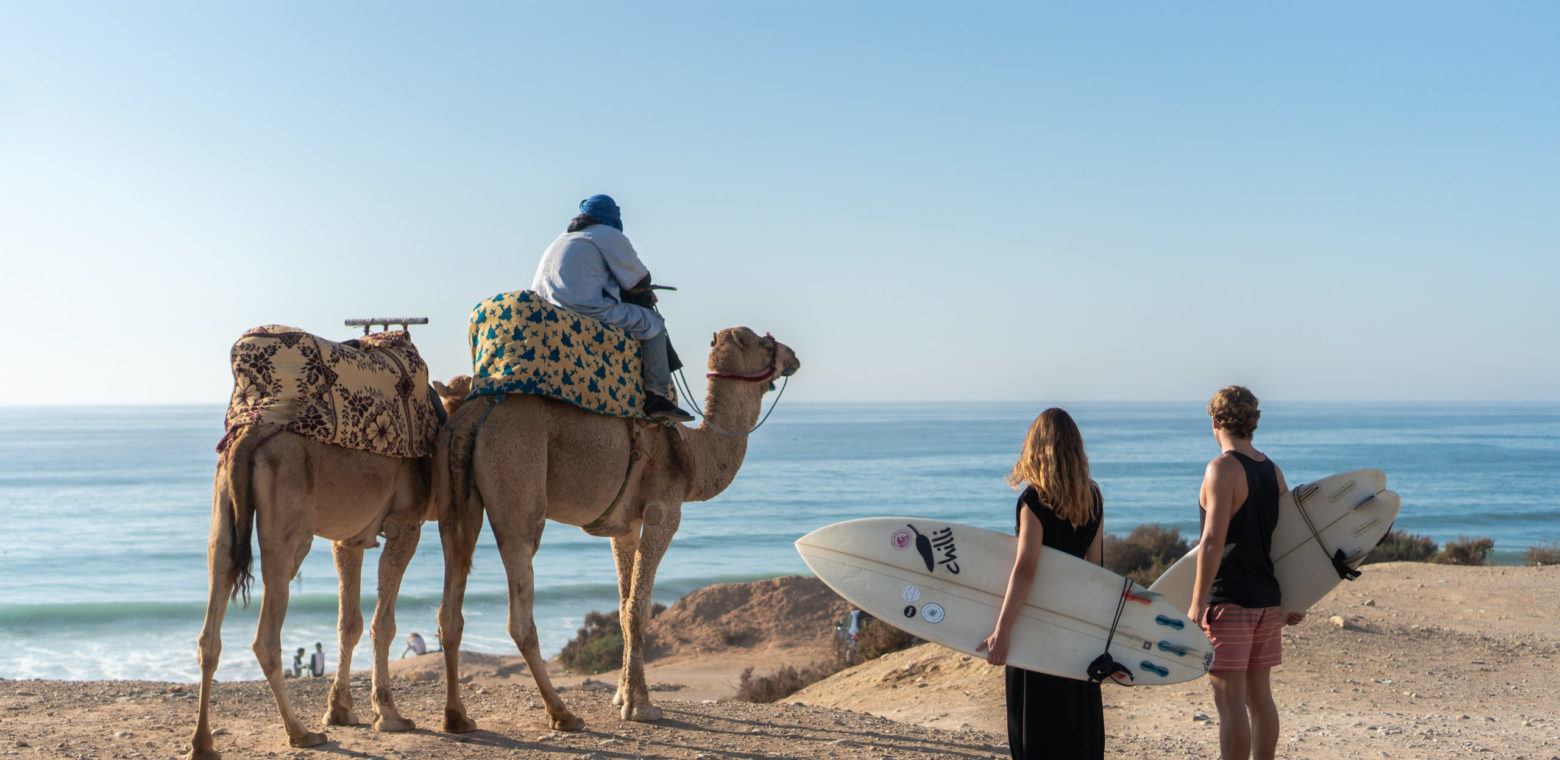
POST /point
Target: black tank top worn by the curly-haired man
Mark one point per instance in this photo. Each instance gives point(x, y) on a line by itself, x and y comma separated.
point(1246, 575)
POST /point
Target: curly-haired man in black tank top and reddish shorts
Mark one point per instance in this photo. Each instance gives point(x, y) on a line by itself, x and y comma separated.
point(1236, 598)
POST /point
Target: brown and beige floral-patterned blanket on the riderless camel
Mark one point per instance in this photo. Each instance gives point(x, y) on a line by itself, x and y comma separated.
point(369, 394)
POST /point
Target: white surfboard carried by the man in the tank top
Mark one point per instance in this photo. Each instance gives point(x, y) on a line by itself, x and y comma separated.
point(1350, 513)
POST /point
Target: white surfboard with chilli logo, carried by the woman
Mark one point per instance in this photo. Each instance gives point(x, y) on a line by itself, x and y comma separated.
point(945, 583)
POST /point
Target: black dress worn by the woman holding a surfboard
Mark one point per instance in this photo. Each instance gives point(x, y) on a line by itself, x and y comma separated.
point(1051, 716)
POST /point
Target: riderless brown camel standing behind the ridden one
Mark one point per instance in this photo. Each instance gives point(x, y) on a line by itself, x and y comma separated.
point(294, 489)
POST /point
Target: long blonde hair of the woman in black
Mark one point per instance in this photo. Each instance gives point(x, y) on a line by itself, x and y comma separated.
point(1055, 466)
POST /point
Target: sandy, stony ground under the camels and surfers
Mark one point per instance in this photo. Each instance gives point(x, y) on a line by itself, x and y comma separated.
point(1408, 662)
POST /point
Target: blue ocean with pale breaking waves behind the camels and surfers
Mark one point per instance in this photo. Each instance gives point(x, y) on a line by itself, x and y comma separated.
point(107, 511)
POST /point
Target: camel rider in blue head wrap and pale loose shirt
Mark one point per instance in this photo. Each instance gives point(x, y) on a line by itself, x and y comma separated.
point(586, 271)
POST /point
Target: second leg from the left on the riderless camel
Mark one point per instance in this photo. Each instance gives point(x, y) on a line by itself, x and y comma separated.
point(285, 531)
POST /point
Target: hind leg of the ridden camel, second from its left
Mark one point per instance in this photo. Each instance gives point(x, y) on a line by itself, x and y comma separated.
point(517, 549)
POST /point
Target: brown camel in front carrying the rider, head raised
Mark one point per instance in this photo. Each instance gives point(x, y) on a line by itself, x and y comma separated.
point(531, 458)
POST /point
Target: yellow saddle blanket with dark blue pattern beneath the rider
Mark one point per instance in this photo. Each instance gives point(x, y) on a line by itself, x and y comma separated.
point(522, 344)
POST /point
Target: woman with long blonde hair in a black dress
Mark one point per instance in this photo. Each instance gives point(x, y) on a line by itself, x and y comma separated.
point(1060, 508)
